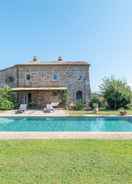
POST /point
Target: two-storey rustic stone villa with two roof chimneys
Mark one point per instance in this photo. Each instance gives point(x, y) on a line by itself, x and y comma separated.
point(40, 83)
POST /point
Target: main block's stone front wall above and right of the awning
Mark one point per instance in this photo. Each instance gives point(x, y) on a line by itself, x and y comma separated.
point(75, 78)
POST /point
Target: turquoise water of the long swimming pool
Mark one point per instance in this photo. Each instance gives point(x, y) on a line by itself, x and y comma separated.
point(65, 124)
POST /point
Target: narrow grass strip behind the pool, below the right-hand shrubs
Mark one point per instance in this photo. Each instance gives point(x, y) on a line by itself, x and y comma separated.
point(101, 112)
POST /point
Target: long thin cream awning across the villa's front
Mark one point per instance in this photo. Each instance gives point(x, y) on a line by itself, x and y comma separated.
point(40, 89)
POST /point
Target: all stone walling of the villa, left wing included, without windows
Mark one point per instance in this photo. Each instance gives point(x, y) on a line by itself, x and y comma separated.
point(74, 77)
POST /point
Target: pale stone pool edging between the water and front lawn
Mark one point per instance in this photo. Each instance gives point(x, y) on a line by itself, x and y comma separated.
point(65, 135)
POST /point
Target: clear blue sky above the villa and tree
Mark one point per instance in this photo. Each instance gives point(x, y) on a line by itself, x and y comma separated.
point(98, 31)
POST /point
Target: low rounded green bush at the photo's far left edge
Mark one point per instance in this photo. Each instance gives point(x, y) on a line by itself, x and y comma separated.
point(5, 104)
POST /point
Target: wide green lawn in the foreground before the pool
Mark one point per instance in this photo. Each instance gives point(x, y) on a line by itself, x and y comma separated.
point(66, 162)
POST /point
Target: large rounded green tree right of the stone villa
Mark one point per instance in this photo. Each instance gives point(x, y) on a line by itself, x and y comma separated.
point(116, 92)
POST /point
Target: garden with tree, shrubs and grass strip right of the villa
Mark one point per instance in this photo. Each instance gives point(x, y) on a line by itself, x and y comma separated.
point(114, 98)
